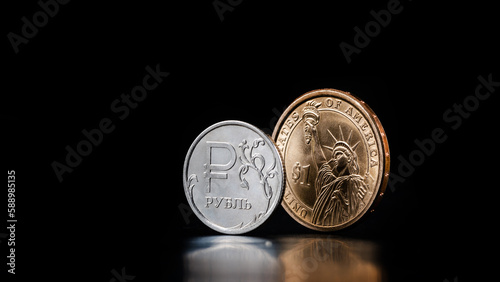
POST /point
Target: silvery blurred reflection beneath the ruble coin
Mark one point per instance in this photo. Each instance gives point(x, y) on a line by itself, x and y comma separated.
point(231, 258)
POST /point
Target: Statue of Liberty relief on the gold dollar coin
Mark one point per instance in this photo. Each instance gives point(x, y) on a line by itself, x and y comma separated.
point(337, 182)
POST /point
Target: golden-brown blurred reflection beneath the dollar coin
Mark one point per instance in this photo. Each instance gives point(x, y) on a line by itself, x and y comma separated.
point(329, 259)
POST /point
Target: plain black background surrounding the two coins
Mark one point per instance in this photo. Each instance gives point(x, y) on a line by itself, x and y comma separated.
point(122, 205)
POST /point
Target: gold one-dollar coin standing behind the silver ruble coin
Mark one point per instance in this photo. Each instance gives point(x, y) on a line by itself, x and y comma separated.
point(336, 158)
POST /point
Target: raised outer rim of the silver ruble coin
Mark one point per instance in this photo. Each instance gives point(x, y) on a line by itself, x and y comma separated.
point(279, 165)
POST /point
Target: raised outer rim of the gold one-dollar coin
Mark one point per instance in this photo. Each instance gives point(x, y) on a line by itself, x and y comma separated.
point(330, 92)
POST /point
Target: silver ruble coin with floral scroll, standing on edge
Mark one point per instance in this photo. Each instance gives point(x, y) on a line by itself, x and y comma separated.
point(233, 177)
